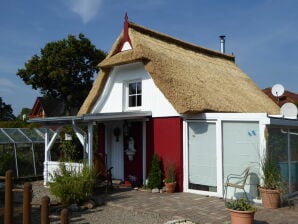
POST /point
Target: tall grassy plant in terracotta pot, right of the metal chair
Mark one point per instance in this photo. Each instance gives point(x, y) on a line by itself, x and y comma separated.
point(272, 183)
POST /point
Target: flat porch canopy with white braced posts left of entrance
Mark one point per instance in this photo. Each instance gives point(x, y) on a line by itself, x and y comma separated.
point(85, 138)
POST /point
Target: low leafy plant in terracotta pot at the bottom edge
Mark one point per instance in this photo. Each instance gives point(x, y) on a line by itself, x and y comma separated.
point(241, 211)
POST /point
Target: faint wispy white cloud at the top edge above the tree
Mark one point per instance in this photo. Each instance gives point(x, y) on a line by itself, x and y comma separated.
point(86, 9)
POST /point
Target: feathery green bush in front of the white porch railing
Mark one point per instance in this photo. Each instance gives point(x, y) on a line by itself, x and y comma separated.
point(72, 186)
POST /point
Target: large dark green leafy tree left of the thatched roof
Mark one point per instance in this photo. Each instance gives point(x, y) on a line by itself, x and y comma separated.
point(64, 70)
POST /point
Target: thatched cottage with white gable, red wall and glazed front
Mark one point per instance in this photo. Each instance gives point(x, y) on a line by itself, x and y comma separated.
point(190, 105)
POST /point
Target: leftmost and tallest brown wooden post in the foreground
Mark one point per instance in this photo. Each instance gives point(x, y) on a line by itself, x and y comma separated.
point(8, 201)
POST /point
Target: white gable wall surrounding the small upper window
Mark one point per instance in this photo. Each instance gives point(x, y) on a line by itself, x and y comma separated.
point(113, 99)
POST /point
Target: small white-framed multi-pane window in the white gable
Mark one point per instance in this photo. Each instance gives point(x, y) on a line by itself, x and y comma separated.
point(134, 94)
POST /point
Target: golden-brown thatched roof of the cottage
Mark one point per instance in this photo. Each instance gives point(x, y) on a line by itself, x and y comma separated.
point(192, 78)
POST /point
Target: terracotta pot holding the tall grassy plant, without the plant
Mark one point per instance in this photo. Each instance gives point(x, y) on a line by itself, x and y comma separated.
point(270, 198)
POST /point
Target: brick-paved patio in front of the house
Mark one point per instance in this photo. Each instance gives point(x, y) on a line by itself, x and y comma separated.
point(193, 207)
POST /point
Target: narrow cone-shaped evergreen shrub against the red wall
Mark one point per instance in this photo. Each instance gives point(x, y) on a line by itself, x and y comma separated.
point(155, 174)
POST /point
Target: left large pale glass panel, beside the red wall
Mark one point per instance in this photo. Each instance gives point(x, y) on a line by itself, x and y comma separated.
point(202, 156)
